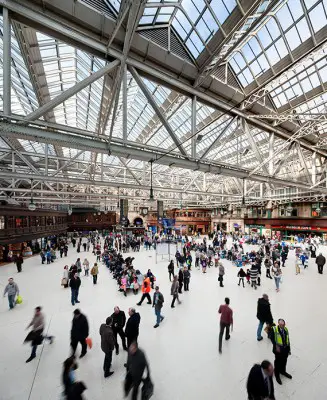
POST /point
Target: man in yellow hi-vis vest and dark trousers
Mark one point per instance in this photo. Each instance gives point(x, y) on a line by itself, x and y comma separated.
point(281, 348)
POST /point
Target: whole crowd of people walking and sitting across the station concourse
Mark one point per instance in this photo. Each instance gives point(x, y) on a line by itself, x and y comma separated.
point(269, 255)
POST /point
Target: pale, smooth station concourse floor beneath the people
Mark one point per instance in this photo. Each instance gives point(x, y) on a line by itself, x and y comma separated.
point(183, 353)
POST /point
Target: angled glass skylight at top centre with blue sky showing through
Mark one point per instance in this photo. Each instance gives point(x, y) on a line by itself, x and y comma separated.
point(195, 21)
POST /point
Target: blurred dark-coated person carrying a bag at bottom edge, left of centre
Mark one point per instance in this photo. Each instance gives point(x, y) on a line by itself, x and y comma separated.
point(136, 364)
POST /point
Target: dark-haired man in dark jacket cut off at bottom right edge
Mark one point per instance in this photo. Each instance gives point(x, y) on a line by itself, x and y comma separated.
point(260, 384)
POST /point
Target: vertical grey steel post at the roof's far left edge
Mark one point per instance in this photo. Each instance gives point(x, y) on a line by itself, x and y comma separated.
point(6, 62)
